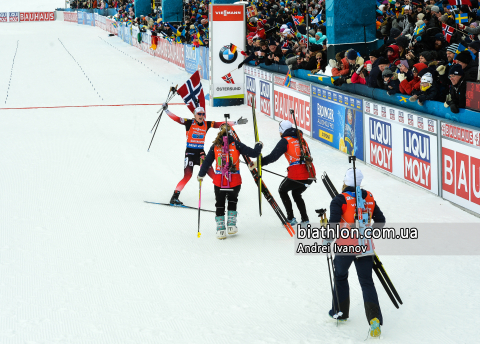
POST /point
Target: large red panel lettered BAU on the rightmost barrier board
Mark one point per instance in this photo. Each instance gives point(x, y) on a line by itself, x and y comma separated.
point(461, 175)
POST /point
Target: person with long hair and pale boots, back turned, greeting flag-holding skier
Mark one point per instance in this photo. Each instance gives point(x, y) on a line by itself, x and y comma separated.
point(227, 183)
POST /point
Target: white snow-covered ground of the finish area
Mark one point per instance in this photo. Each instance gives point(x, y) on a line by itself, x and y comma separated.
point(84, 260)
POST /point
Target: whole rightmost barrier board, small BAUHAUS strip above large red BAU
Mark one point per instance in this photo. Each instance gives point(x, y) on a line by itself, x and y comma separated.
point(461, 165)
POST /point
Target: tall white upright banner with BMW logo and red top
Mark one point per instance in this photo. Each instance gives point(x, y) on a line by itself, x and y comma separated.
point(227, 39)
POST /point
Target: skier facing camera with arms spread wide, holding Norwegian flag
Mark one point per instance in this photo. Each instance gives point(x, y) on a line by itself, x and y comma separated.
point(196, 130)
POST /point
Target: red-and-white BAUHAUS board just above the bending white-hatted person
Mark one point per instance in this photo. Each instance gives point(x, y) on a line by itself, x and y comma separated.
point(286, 99)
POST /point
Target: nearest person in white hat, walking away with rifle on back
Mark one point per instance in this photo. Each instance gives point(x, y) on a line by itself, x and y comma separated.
point(342, 211)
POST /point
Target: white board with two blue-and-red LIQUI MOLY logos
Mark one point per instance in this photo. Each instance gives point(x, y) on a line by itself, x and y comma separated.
point(403, 144)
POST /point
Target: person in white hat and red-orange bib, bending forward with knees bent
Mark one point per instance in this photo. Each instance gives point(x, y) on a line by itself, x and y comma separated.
point(297, 175)
